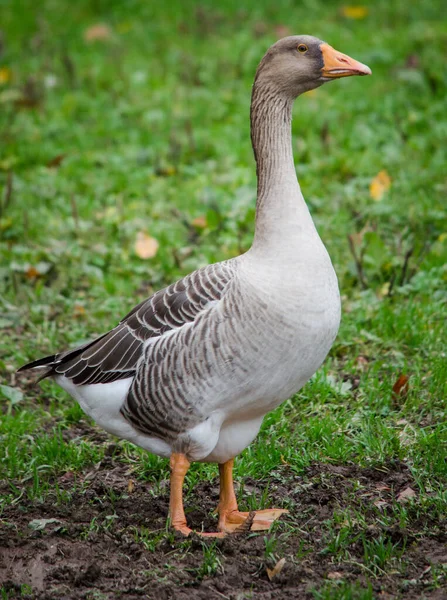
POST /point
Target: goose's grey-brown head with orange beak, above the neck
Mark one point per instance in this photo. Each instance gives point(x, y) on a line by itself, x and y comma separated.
point(300, 63)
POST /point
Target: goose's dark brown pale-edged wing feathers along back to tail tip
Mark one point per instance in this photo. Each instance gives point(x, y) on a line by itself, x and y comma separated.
point(115, 354)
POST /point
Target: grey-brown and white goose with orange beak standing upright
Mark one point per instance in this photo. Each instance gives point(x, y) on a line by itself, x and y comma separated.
point(190, 373)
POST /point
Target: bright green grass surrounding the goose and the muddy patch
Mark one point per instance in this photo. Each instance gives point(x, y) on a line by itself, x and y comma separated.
point(146, 130)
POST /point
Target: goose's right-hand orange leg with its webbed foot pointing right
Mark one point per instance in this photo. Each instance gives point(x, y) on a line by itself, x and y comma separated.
point(231, 518)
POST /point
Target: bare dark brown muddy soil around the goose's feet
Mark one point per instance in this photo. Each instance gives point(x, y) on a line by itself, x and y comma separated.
point(70, 558)
